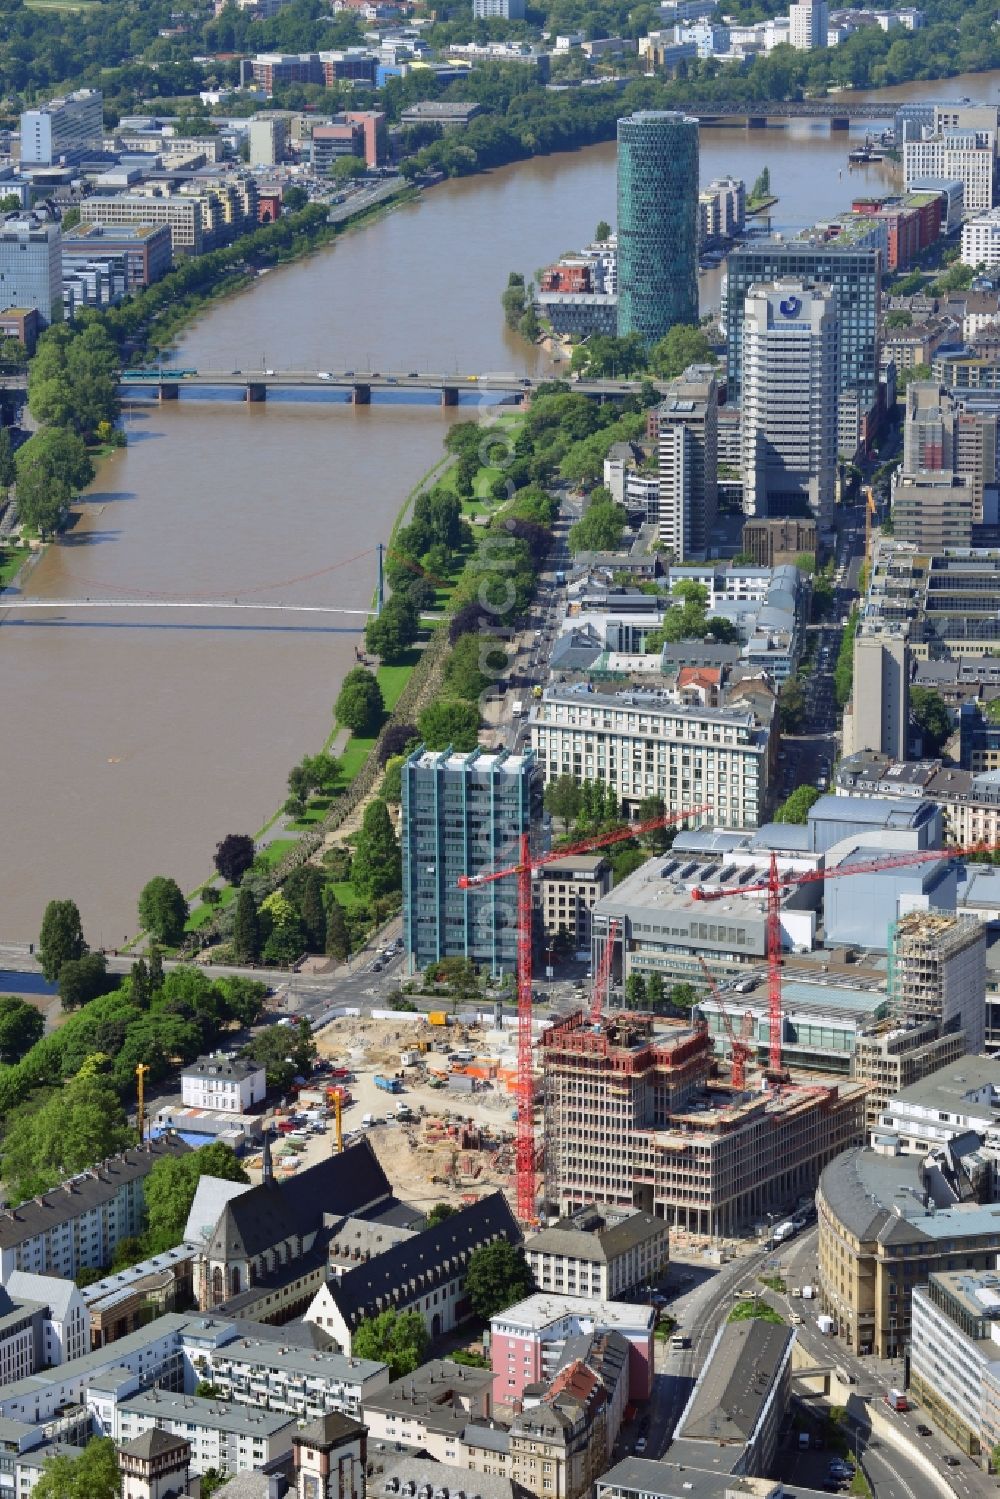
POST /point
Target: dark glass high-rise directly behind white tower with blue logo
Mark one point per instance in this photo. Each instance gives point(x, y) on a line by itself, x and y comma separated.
point(855, 280)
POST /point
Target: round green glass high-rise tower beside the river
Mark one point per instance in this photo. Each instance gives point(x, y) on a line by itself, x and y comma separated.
point(657, 223)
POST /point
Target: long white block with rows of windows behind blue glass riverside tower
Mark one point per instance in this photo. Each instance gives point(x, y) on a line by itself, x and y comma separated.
point(642, 744)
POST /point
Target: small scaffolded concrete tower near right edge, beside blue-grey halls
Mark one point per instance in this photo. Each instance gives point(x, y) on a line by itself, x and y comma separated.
point(938, 972)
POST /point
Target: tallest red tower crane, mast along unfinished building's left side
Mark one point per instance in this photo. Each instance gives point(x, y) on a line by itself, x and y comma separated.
point(524, 870)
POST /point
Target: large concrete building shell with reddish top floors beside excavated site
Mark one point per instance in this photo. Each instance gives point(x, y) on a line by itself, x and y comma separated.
point(635, 1119)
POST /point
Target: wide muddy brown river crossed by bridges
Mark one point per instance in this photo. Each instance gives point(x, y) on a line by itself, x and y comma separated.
point(134, 741)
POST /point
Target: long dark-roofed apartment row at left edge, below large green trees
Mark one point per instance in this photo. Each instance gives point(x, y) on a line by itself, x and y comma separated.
point(80, 1222)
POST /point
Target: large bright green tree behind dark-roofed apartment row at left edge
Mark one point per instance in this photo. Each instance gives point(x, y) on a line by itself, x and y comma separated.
point(52, 1138)
